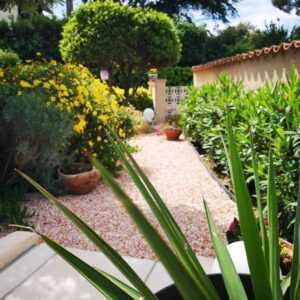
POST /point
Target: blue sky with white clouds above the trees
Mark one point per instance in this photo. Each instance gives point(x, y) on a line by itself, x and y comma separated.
point(257, 12)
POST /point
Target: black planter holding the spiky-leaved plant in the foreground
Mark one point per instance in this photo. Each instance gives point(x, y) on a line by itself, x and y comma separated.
point(171, 292)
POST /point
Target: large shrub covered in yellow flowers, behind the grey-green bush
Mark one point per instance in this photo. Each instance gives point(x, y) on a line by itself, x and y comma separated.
point(74, 89)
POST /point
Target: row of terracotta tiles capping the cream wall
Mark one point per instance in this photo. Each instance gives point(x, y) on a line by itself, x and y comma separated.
point(249, 55)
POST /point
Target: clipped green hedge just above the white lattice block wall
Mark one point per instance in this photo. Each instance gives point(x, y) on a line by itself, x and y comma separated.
point(177, 75)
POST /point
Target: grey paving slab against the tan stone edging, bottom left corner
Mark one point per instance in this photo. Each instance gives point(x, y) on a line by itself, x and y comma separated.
point(22, 268)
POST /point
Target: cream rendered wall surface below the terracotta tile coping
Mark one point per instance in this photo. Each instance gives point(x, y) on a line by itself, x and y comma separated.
point(254, 72)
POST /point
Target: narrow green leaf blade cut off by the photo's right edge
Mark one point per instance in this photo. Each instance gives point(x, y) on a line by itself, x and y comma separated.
point(295, 273)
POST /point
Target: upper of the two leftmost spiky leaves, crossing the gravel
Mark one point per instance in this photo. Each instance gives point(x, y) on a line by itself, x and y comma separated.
point(110, 253)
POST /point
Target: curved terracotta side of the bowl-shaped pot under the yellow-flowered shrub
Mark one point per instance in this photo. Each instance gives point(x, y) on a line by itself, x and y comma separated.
point(81, 183)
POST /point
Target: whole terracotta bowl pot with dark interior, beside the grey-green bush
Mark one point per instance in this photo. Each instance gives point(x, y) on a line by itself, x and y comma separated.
point(79, 177)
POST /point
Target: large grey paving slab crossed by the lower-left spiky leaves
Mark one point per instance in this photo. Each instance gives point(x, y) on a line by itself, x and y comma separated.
point(56, 280)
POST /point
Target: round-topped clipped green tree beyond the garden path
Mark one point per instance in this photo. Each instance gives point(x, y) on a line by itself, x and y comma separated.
point(127, 41)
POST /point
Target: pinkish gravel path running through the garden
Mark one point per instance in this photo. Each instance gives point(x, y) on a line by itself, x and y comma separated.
point(178, 174)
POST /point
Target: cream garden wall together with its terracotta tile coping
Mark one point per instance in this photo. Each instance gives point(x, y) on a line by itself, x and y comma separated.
point(254, 68)
